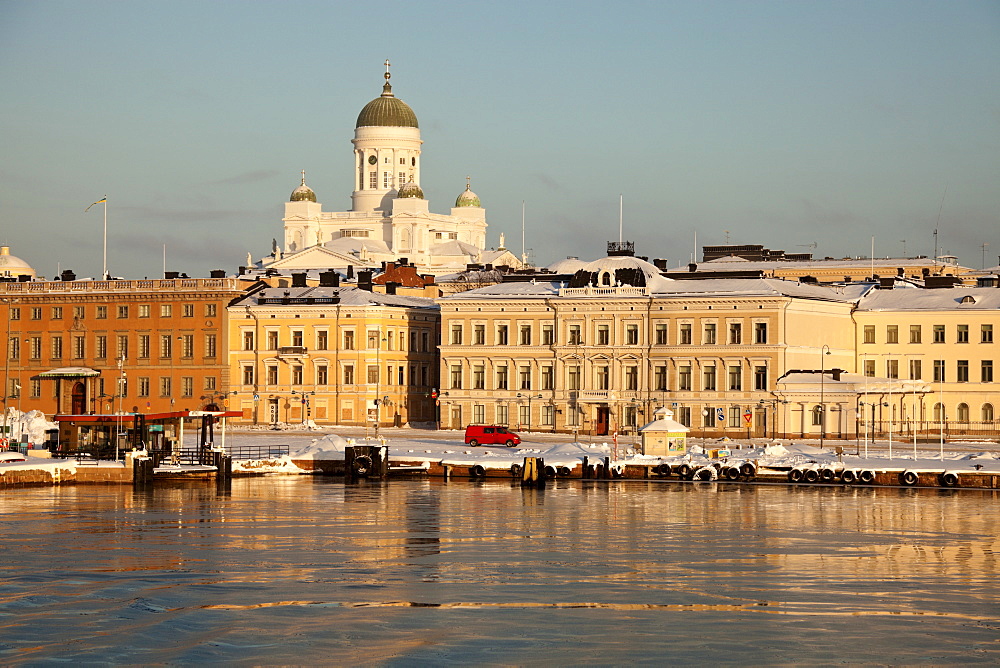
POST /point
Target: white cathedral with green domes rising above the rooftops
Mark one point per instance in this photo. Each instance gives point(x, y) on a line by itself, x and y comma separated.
point(389, 218)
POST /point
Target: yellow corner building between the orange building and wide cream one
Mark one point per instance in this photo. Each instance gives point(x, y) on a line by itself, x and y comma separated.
point(333, 355)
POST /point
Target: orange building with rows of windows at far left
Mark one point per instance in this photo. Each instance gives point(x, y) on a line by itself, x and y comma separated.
point(84, 347)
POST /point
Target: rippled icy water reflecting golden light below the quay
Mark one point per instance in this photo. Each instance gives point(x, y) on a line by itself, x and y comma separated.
point(308, 571)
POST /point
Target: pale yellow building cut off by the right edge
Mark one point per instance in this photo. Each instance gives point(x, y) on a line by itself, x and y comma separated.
point(944, 338)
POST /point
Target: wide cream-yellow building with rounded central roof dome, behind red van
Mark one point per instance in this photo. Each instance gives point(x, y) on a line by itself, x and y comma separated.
point(600, 353)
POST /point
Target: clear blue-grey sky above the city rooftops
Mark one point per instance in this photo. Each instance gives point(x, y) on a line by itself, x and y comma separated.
point(802, 126)
